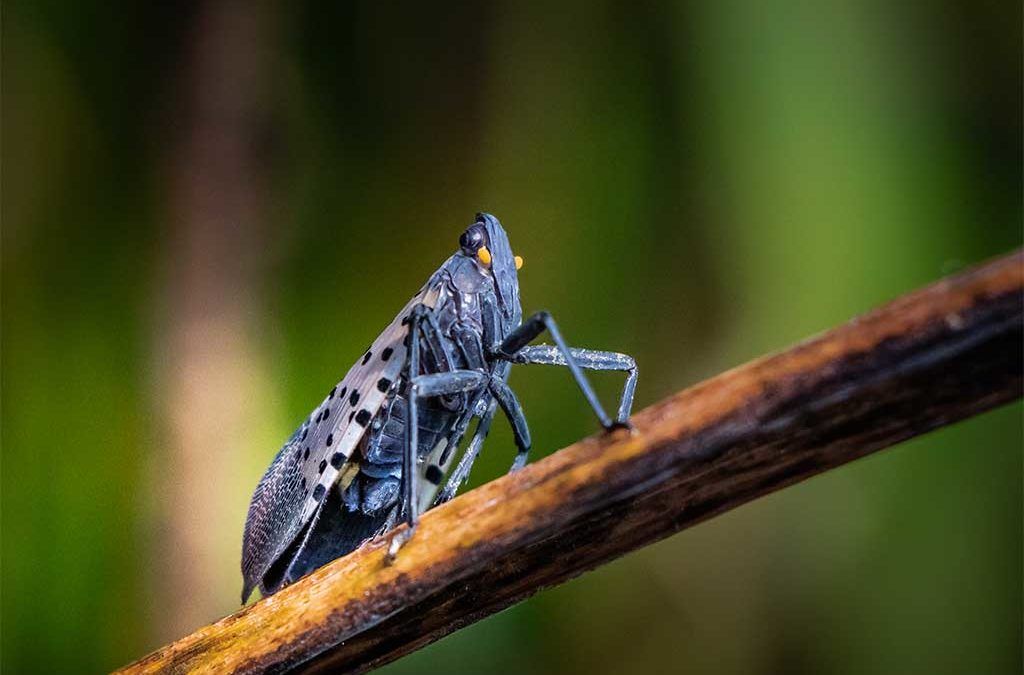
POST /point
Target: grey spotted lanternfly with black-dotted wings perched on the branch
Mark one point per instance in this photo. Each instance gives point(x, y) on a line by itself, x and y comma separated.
point(375, 452)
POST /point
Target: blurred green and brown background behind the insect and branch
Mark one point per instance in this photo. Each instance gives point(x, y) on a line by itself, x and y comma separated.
point(210, 208)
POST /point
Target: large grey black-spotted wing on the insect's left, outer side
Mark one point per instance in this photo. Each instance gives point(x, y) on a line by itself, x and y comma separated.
point(308, 467)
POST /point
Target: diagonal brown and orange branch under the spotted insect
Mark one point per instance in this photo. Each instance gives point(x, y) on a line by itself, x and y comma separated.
point(927, 360)
